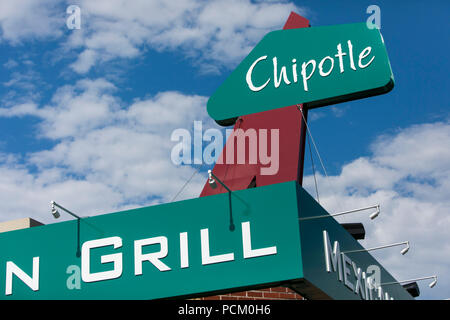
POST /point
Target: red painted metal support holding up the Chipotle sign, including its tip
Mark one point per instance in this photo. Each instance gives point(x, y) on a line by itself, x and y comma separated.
point(292, 133)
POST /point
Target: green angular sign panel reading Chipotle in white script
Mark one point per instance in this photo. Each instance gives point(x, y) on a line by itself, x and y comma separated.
point(318, 66)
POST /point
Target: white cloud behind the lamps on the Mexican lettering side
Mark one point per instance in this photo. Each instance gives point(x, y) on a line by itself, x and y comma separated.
point(408, 174)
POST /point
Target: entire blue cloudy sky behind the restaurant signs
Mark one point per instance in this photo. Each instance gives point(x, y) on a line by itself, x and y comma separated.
point(86, 115)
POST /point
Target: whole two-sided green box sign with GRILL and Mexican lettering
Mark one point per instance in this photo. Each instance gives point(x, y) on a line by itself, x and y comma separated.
point(188, 248)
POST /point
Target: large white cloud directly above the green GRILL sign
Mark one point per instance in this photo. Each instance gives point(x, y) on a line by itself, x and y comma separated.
point(107, 156)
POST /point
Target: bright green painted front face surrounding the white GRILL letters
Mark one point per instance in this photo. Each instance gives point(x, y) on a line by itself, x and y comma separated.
point(56, 246)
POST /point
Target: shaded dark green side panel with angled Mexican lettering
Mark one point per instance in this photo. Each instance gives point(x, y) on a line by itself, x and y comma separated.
point(332, 273)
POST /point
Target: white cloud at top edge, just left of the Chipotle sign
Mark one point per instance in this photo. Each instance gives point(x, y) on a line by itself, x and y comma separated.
point(214, 34)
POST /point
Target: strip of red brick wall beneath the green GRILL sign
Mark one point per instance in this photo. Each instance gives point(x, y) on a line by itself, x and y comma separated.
point(277, 293)
